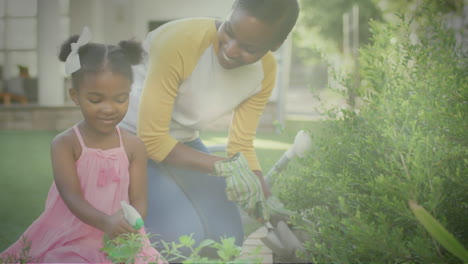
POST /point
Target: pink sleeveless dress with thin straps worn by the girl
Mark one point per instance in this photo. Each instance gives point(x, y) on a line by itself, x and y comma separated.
point(58, 236)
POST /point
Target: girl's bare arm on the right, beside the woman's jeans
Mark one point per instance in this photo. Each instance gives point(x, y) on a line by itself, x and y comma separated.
point(138, 189)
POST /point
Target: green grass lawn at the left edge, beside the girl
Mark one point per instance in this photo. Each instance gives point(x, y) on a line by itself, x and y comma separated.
point(26, 176)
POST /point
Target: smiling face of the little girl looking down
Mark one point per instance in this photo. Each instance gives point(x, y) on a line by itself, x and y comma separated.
point(103, 99)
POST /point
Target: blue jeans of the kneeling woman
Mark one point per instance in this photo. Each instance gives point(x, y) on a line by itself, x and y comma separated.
point(183, 202)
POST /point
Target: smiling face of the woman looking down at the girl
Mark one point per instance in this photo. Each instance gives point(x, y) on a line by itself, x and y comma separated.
point(243, 39)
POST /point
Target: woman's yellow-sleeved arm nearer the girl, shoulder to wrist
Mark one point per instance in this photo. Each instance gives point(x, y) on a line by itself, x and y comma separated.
point(172, 59)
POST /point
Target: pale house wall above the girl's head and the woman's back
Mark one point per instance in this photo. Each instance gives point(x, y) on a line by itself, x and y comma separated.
point(113, 20)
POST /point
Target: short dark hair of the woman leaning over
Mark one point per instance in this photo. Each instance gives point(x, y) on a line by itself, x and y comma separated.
point(281, 12)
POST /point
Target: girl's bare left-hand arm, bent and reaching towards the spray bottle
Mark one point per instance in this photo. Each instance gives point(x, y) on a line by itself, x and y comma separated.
point(69, 187)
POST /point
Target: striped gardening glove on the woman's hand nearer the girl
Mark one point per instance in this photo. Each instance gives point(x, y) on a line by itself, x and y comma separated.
point(243, 186)
